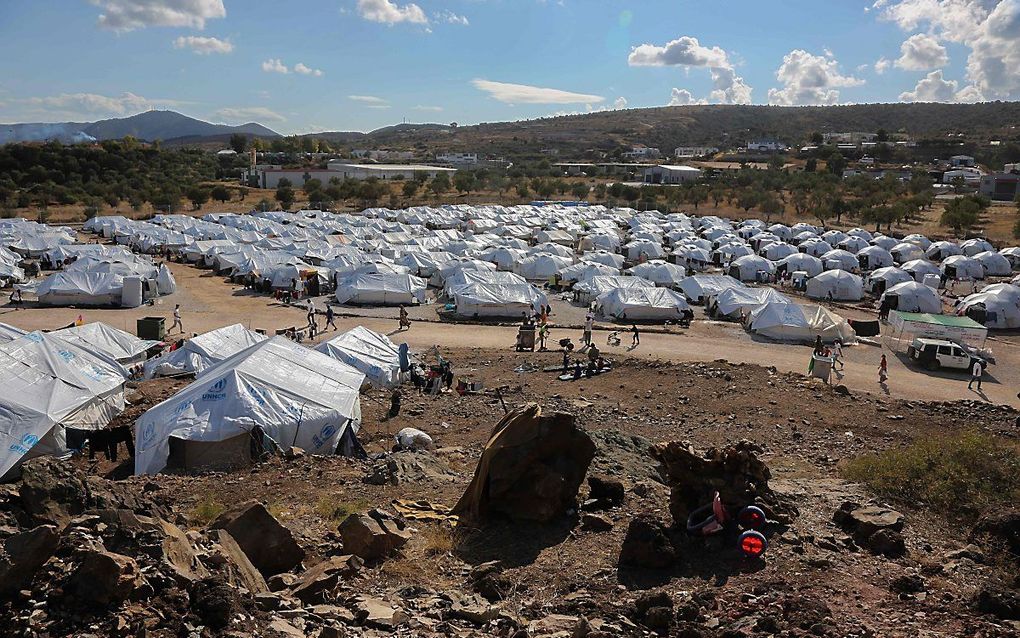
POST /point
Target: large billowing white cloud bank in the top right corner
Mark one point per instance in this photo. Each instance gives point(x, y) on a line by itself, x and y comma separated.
point(990, 28)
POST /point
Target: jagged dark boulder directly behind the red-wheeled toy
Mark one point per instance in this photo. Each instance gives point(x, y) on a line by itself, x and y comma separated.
point(735, 472)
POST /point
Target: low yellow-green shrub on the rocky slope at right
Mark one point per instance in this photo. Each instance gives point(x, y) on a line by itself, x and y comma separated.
point(959, 474)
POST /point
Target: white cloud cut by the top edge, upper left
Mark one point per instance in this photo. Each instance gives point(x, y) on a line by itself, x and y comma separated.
point(124, 16)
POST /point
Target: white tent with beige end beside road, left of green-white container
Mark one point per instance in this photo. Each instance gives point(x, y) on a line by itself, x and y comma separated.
point(794, 322)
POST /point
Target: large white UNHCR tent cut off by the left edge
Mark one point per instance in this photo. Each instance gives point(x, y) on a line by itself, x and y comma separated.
point(47, 385)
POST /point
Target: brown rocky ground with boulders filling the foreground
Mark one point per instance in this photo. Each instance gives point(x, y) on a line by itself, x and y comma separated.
point(569, 531)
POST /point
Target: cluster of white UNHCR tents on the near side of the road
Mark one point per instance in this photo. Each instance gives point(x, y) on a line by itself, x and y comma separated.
point(76, 379)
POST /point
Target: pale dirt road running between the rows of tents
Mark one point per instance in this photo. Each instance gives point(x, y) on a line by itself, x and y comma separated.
point(209, 304)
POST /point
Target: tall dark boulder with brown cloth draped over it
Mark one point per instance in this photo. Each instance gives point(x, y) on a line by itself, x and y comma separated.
point(531, 468)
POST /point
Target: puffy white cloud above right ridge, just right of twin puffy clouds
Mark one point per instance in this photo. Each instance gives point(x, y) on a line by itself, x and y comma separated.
point(809, 79)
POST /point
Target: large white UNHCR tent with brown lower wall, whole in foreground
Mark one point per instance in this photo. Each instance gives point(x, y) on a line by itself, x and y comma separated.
point(296, 397)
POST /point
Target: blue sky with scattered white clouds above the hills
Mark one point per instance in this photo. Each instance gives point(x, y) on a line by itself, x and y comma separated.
point(307, 66)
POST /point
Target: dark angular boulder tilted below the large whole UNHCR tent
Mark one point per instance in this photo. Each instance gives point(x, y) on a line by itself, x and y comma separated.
point(269, 546)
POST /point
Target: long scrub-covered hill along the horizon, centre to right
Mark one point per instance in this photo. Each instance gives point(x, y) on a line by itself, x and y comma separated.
point(722, 126)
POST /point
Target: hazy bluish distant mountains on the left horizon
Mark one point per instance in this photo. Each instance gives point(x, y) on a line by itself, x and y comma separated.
point(150, 126)
